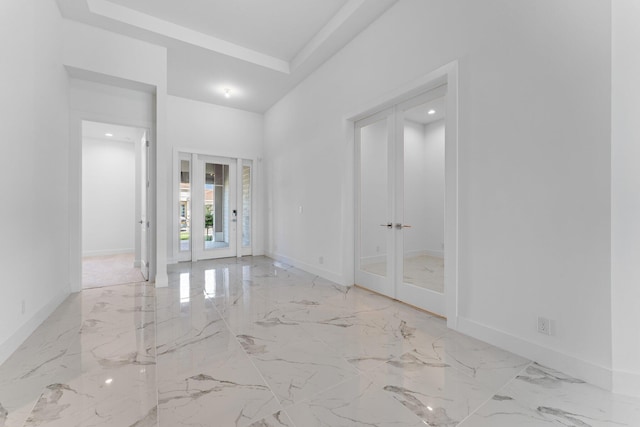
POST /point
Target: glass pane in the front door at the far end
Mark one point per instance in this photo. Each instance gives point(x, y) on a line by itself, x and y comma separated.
point(216, 206)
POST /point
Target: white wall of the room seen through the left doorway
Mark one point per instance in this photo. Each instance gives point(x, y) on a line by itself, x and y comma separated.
point(108, 197)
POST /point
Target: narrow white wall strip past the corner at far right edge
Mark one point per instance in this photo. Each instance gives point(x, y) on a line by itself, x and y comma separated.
point(625, 209)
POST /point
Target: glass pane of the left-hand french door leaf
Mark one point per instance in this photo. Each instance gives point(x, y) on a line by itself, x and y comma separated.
point(374, 198)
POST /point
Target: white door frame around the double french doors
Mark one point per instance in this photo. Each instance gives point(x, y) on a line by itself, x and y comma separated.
point(447, 74)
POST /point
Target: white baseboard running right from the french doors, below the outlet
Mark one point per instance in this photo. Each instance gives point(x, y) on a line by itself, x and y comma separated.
point(571, 365)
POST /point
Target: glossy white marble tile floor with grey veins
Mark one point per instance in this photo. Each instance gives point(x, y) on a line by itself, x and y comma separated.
point(254, 343)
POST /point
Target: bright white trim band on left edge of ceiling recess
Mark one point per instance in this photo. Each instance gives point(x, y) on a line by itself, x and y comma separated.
point(159, 26)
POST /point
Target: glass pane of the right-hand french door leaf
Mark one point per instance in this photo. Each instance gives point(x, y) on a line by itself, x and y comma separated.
point(423, 254)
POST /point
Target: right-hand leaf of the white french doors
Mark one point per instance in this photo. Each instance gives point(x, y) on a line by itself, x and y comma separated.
point(420, 195)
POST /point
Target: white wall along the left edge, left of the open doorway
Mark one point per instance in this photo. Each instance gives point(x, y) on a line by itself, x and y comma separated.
point(33, 168)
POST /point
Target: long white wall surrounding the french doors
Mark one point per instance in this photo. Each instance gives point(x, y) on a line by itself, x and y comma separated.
point(534, 149)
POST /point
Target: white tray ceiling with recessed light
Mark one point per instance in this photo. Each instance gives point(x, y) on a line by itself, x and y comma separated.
point(257, 50)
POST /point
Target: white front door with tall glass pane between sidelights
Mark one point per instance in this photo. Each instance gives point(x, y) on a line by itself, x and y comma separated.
point(214, 210)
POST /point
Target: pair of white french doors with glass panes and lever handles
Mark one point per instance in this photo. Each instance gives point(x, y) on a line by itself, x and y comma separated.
point(400, 233)
